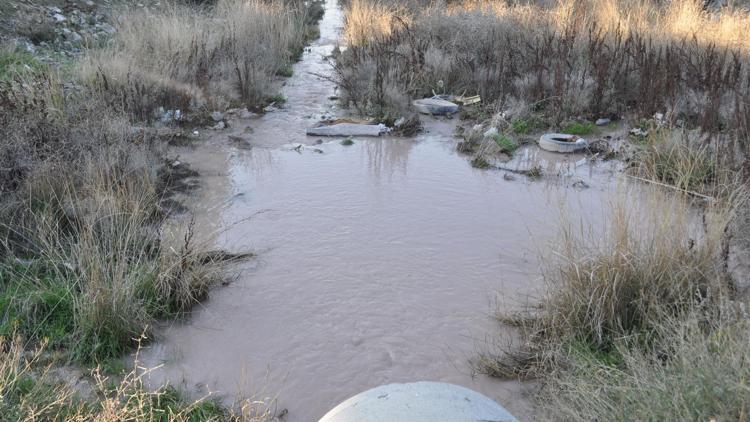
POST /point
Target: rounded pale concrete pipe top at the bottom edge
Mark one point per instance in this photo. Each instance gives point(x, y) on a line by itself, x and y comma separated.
point(419, 402)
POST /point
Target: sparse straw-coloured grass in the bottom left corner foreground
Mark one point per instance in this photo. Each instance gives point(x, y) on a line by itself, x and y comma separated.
point(31, 391)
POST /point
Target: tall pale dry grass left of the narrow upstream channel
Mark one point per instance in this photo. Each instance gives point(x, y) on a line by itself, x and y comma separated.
point(180, 57)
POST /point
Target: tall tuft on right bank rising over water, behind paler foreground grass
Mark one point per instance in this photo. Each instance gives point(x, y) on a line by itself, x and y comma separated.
point(652, 264)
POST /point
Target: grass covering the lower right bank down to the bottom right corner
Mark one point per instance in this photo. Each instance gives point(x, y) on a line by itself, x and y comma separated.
point(639, 321)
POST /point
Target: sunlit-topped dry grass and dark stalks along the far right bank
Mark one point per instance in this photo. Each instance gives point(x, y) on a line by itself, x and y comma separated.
point(572, 58)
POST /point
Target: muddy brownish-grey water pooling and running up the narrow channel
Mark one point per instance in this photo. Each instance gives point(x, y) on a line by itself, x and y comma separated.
point(379, 262)
